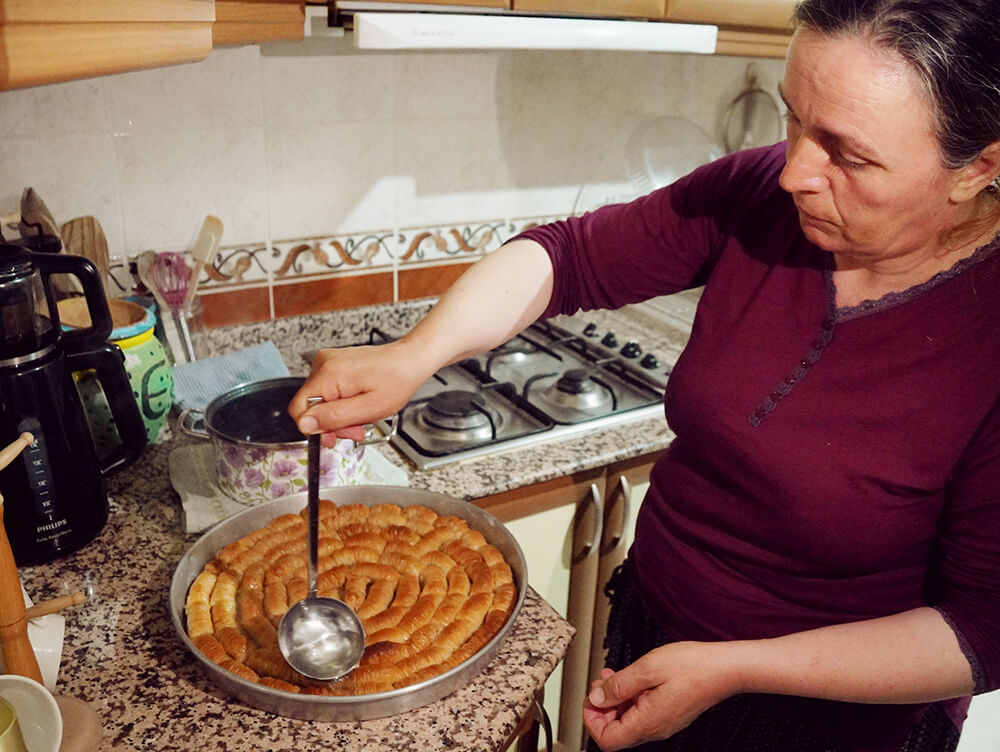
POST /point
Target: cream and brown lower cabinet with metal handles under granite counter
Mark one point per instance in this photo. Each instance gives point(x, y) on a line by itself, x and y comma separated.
point(575, 530)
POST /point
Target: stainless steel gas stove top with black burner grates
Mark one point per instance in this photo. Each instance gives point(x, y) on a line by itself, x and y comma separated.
point(558, 378)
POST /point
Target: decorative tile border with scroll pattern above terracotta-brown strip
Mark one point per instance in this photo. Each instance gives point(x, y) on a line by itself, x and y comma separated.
point(316, 264)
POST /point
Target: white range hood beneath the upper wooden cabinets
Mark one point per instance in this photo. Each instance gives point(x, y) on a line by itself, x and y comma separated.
point(398, 26)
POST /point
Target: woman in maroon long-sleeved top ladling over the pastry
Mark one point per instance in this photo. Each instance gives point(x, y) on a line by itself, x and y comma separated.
point(816, 564)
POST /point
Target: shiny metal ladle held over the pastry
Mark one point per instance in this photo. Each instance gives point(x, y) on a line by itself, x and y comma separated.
point(320, 637)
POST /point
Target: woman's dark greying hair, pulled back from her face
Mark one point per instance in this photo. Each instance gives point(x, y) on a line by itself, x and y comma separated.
point(952, 45)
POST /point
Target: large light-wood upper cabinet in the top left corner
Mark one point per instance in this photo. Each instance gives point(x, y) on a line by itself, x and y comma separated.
point(60, 40)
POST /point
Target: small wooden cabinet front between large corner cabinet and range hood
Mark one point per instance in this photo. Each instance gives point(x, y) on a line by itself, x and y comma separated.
point(253, 21)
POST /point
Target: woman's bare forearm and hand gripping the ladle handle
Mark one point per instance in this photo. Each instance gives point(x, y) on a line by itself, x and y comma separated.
point(491, 302)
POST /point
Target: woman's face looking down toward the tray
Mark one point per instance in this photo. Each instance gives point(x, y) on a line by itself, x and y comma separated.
point(862, 164)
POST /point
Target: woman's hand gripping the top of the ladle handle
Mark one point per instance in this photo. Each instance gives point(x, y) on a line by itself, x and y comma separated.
point(359, 385)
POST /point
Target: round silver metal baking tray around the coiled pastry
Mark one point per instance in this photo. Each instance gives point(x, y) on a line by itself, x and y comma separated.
point(361, 707)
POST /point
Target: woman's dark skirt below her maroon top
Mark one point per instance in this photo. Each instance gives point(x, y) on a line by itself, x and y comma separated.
point(742, 723)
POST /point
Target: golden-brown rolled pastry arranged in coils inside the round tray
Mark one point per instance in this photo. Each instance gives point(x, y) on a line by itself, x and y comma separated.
point(430, 592)
